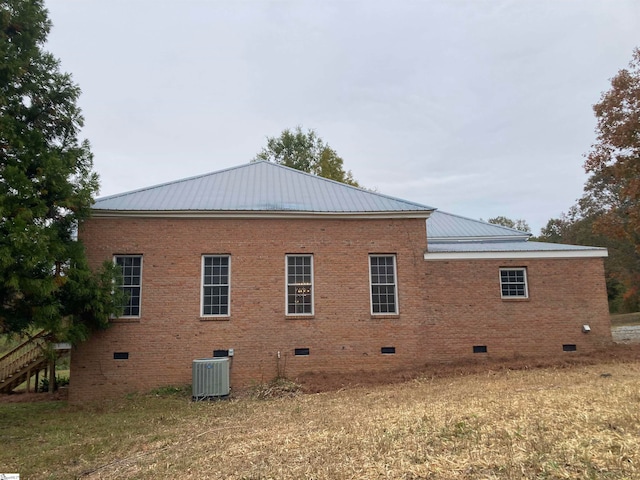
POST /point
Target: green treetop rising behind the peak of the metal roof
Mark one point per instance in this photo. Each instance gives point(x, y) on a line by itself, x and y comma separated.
point(307, 152)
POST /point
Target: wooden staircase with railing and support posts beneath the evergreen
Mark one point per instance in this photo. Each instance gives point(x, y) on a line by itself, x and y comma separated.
point(29, 359)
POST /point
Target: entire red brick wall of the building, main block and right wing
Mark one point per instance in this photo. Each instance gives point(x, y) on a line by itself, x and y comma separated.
point(445, 307)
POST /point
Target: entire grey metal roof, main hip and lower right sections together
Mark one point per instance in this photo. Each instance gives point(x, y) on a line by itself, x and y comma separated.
point(267, 187)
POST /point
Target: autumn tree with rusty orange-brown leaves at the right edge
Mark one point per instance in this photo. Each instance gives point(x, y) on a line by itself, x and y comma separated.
point(612, 193)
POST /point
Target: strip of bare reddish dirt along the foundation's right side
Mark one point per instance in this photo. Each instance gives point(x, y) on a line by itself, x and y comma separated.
point(313, 382)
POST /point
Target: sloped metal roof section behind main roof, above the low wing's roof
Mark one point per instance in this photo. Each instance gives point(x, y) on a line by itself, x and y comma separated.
point(443, 226)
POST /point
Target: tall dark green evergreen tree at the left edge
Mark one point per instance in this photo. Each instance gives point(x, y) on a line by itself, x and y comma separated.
point(46, 188)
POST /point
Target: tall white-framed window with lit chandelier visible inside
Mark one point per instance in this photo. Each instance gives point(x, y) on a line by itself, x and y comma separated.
point(299, 285)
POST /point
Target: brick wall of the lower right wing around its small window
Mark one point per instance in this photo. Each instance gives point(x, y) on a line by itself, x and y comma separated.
point(464, 304)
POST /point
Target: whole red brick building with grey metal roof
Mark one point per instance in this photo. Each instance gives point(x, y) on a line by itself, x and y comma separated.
point(295, 273)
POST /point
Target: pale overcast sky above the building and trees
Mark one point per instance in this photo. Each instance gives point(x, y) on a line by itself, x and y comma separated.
point(478, 108)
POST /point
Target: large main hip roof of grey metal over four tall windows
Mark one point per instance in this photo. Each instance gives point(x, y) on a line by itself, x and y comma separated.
point(258, 187)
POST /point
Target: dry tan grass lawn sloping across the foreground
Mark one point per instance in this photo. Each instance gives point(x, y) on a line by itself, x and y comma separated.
point(554, 423)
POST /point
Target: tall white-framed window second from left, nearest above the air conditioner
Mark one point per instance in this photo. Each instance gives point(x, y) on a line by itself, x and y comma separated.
point(215, 285)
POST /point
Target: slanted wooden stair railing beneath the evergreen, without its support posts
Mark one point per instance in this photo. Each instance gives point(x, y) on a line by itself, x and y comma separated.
point(22, 362)
